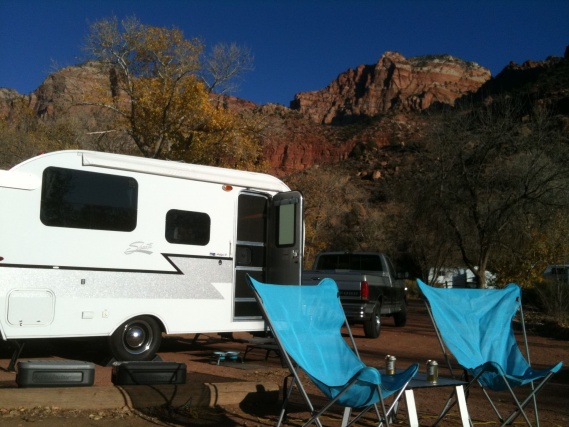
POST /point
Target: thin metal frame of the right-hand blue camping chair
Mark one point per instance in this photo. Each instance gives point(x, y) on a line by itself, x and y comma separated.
point(473, 377)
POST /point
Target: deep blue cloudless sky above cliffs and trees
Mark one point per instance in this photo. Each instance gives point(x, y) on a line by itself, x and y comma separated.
point(298, 45)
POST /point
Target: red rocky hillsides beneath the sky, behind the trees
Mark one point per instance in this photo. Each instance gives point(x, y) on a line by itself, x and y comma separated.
point(364, 109)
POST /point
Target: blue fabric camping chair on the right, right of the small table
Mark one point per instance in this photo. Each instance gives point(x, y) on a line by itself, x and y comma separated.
point(475, 325)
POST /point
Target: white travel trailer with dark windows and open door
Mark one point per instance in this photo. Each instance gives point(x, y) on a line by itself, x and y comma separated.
point(97, 244)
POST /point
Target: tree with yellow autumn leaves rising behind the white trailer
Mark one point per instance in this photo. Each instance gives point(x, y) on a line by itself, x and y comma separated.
point(161, 99)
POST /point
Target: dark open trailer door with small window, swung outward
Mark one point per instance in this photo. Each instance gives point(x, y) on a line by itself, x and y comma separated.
point(285, 245)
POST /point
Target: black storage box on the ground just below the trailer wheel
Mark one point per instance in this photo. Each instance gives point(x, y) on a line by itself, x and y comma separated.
point(139, 373)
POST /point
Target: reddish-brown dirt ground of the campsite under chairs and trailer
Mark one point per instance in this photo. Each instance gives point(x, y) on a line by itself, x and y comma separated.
point(416, 342)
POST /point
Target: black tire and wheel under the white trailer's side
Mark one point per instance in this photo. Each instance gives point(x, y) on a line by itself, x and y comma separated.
point(136, 339)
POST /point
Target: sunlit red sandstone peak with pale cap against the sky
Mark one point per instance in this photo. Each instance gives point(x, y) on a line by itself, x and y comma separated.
point(393, 84)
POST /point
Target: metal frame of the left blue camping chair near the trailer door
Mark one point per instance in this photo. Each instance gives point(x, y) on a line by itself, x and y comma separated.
point(295, 379)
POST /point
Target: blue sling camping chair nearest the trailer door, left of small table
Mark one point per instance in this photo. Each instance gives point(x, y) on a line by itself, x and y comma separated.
point(306, 323)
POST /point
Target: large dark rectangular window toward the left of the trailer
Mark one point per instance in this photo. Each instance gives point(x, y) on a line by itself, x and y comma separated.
point(80, 199)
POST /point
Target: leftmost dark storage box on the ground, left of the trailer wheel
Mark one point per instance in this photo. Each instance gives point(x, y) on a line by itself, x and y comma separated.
point(55, 373)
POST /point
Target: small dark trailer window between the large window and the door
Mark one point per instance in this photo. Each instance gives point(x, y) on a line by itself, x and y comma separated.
point(187, 228)
